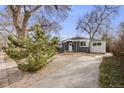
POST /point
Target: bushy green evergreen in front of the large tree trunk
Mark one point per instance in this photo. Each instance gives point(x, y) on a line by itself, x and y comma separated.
point(33, 52)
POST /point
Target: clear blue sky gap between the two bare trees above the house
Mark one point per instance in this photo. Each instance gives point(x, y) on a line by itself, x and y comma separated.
point(69, 24)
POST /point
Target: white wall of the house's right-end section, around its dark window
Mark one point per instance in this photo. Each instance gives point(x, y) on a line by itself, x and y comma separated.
point(98, 49)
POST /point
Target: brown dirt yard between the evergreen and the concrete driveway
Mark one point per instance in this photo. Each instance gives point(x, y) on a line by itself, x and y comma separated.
point(17, 78)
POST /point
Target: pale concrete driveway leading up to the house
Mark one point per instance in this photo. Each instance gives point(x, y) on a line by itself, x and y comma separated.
point(81, 72)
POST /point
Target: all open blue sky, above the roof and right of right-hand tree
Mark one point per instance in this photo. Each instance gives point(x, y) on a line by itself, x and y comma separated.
point(69, 24)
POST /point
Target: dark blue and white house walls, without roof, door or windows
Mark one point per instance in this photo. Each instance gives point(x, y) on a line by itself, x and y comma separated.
point(77, 48)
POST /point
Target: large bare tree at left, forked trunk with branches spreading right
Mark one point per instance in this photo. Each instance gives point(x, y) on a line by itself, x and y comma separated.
point(21, 15)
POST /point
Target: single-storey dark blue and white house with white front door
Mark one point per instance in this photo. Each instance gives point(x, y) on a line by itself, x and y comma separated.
point(80, 44)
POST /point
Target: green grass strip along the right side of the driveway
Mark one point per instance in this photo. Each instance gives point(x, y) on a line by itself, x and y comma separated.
point(111, 73)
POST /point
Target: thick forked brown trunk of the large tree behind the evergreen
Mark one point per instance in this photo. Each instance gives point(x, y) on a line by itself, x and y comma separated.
point(15, 13)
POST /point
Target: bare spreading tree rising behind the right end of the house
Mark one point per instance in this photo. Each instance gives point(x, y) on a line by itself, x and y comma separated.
point(96, 20)
